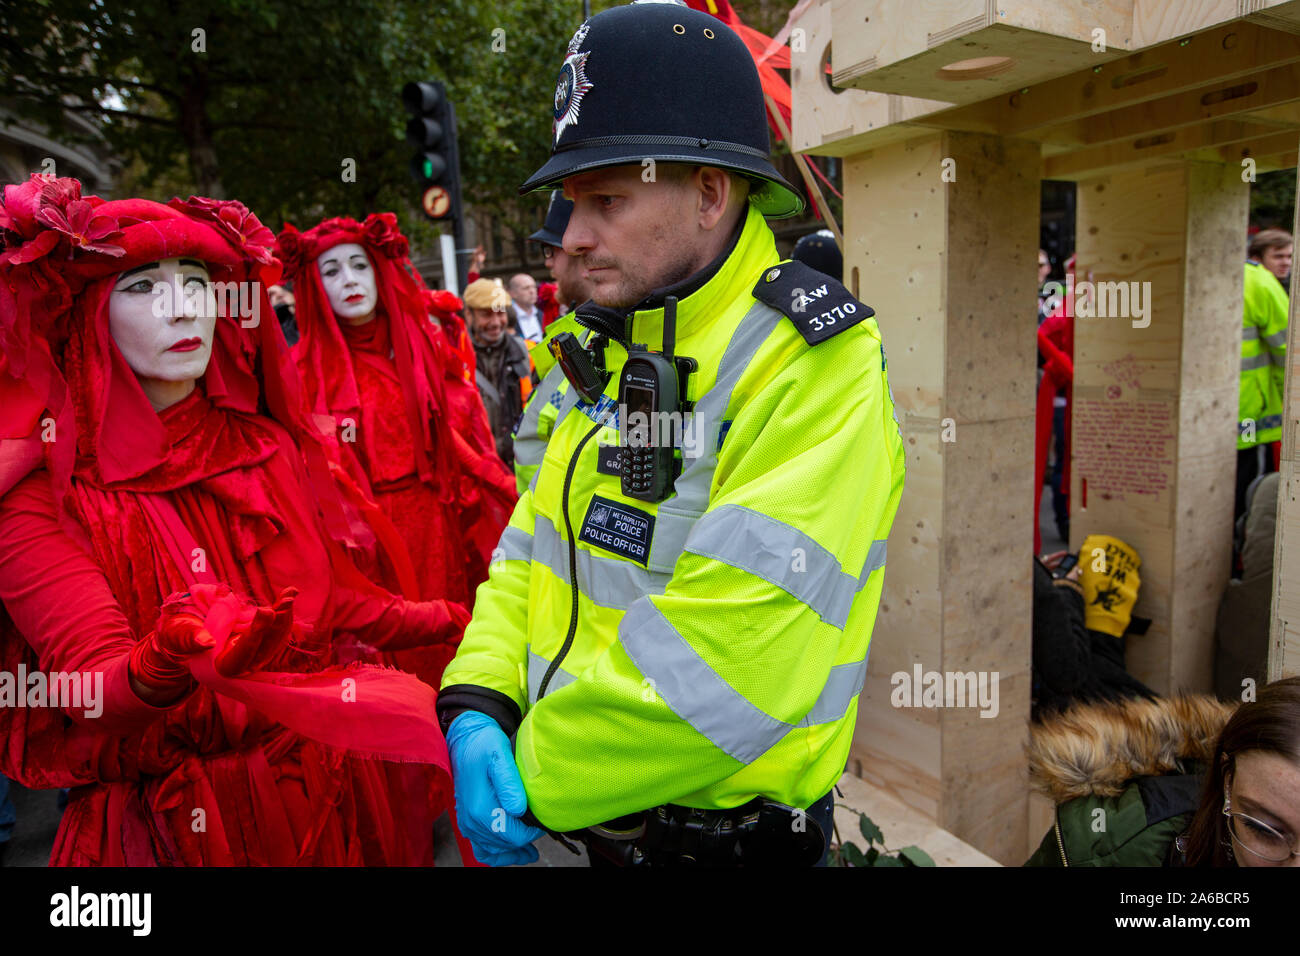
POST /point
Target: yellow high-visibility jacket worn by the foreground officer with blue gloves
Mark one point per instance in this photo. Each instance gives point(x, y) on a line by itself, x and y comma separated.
point(716, 644)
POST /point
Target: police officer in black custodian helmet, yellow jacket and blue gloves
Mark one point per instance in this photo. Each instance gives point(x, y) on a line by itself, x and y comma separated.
point(668, 656)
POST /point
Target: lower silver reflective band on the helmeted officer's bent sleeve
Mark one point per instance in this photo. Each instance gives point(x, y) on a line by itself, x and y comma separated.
point(701, 698)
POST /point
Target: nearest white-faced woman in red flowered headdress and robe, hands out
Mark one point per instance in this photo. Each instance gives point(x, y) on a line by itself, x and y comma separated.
point(171, 531)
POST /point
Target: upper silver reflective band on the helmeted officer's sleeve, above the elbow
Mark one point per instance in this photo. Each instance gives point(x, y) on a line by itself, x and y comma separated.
point(783, 556)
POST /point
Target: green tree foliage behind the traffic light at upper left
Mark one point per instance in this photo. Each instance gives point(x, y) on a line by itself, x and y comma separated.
point(267, 101)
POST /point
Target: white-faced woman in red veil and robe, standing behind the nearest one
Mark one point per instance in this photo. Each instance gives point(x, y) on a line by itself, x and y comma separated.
point(384, 364)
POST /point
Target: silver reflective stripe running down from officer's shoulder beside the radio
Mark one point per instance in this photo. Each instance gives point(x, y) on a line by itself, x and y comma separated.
point(677, 517)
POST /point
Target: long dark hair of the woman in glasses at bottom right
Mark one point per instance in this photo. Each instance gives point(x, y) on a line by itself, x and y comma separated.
point(1268, 725)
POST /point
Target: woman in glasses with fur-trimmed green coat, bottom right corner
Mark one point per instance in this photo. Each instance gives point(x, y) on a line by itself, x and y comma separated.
point(1178, 782)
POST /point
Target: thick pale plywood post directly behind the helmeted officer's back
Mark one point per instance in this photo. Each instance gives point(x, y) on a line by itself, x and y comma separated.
point(950, 267)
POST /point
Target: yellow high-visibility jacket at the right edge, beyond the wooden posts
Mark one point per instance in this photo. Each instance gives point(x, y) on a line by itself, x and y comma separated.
point(1264, 357)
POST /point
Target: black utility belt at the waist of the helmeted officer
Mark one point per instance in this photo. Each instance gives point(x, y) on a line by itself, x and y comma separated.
point(761, 833)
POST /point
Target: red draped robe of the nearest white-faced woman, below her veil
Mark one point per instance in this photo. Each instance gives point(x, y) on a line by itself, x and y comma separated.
point(142, 776)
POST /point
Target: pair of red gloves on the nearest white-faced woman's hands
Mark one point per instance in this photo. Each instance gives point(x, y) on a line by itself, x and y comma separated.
point(162, 661)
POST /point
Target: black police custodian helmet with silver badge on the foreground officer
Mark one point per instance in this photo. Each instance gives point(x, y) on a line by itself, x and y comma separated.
point(662, 81)
